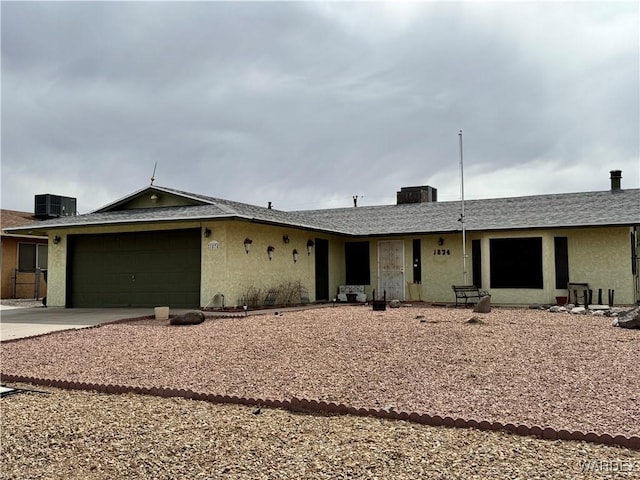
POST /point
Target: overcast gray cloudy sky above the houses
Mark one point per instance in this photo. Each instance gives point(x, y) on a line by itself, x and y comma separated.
point(309, 104)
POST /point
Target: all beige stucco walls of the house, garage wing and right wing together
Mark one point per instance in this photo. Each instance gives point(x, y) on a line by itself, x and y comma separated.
point(599, 256)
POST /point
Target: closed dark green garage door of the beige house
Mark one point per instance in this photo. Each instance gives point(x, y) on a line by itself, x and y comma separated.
point(145, 269)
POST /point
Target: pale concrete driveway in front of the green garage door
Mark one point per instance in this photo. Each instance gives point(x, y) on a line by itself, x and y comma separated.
point(19, 322)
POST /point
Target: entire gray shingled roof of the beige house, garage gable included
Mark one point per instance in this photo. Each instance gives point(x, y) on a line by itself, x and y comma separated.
point(604, 208)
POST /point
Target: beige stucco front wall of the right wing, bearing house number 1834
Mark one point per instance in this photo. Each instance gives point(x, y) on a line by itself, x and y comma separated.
point(598, 256)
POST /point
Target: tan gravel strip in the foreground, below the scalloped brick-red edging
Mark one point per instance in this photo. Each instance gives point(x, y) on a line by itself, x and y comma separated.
point(75, 435)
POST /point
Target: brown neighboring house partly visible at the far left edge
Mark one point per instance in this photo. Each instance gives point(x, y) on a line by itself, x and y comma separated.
point(23, 257)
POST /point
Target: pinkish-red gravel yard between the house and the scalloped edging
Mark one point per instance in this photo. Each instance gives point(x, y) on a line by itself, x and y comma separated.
point(517, 366)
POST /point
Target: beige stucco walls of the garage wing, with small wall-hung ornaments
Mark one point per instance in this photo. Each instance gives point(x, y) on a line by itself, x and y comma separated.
point(225, 270)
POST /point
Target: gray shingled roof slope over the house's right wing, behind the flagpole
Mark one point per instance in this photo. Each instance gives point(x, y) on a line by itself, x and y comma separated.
point(540, 211)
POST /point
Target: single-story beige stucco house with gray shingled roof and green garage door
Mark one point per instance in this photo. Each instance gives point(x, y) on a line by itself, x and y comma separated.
point(160, 246)
